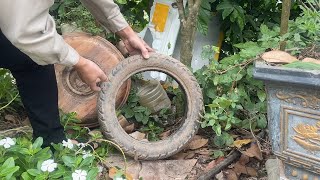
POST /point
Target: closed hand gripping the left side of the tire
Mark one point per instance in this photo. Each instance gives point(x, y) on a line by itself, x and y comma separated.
point(90, 73)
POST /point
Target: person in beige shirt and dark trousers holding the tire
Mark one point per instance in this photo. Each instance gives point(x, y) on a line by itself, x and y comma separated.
point(30, 45)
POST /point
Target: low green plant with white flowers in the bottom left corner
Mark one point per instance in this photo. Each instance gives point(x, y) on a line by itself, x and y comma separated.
point(26, 160)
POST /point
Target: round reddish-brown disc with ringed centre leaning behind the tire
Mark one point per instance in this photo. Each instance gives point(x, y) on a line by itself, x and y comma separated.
point(74, 95)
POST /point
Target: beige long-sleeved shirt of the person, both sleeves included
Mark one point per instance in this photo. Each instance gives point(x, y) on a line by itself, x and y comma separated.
point(28, 26)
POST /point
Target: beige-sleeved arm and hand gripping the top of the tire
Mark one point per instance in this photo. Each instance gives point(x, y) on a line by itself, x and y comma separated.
point(107, 13)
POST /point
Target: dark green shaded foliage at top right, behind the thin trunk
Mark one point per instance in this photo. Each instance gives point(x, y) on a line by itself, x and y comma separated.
point(242, 19)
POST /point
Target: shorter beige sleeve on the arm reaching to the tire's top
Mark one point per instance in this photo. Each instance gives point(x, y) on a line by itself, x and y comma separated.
point(107, 13)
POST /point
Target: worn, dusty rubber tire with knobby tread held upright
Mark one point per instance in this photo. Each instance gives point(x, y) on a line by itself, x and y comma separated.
point(162, 148)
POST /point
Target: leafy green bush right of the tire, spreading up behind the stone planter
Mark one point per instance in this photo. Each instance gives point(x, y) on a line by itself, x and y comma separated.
point(233, 98)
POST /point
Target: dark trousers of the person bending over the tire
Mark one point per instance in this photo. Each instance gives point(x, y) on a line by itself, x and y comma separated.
point(38, 90)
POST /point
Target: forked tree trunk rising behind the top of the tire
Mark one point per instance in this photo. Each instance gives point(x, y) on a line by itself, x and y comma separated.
point(188, 30)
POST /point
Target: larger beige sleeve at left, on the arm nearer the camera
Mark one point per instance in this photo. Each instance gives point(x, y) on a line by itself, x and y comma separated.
point(28, 26)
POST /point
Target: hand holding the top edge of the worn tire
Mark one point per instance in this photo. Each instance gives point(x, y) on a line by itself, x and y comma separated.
point(133, 43)
